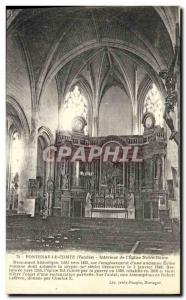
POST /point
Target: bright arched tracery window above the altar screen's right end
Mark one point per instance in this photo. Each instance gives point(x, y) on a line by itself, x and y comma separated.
point(153, 103)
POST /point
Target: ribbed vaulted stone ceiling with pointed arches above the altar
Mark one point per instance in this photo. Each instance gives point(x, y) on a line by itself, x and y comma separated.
point(95, 46)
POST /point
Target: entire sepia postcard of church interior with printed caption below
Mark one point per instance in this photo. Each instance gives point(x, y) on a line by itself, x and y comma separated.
point(93, 98)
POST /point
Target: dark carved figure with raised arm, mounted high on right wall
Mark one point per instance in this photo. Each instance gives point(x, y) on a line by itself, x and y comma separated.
point(169, 78)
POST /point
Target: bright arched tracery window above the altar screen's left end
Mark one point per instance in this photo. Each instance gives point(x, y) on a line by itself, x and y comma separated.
point(75, 105)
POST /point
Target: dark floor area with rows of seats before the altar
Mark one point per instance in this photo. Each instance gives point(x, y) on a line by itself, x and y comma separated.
point(93, 235)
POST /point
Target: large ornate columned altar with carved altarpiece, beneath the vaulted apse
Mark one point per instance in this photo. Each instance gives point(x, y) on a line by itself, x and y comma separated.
point(113, 188)
